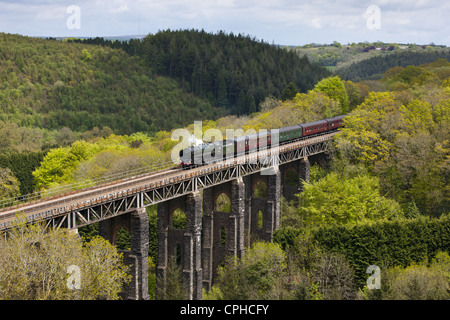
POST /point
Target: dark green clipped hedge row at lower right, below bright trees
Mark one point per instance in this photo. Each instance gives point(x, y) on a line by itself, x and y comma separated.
point(385, 244)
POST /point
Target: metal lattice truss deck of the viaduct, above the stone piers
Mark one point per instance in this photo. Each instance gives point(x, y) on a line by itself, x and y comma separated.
point(104, 202)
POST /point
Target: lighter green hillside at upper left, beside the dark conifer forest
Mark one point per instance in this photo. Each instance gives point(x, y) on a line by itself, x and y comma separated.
point(53, 84)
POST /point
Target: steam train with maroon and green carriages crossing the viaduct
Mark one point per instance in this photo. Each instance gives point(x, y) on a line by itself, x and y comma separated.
point(221, 150)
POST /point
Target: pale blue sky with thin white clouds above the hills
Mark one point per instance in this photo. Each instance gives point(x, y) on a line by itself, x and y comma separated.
point(284, 22)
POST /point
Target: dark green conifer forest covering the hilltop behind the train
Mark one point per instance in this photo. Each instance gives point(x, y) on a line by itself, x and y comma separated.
point(232, 71)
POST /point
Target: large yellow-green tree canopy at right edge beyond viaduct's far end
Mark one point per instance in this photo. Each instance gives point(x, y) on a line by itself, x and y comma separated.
point(405, 143)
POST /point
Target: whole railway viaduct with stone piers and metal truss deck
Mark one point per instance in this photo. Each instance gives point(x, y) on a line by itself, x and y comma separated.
point(210, 235)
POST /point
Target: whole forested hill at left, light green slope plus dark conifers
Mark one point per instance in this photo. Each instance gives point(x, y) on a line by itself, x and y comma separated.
point(128, 86)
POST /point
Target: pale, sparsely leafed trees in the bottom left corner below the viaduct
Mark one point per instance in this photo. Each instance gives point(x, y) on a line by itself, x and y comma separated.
point(40, 264)
